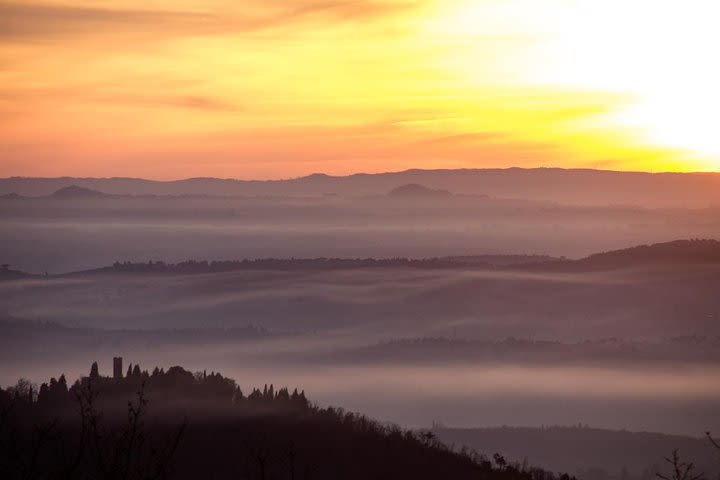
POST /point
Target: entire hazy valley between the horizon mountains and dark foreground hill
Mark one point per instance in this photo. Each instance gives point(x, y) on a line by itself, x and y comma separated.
point(462, 313)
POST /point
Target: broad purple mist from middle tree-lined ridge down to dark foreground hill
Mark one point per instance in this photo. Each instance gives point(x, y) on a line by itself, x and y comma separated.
point(630, 348)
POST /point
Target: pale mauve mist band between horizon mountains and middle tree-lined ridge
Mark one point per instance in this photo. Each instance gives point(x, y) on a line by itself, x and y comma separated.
point(77, 231)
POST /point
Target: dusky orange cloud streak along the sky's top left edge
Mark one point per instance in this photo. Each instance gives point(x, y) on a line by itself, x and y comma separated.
point(23, 21)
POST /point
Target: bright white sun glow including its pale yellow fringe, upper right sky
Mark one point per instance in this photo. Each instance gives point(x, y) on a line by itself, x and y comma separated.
point(659, 55)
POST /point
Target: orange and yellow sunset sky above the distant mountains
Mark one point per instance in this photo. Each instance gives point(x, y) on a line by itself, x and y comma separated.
point(283, 88)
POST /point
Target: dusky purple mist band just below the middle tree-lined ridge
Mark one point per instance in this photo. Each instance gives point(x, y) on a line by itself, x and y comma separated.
point(384, 303)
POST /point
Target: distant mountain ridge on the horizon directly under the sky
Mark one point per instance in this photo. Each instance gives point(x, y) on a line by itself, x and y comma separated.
point(570, 186)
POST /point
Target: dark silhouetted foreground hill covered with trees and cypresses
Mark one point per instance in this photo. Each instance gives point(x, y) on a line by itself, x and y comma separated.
point(176, 424)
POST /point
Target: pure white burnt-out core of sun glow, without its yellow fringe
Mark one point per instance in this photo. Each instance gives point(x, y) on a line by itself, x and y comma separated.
point(661, 52)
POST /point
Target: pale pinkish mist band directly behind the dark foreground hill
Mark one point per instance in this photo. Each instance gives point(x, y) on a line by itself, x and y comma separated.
point(679, 398)
